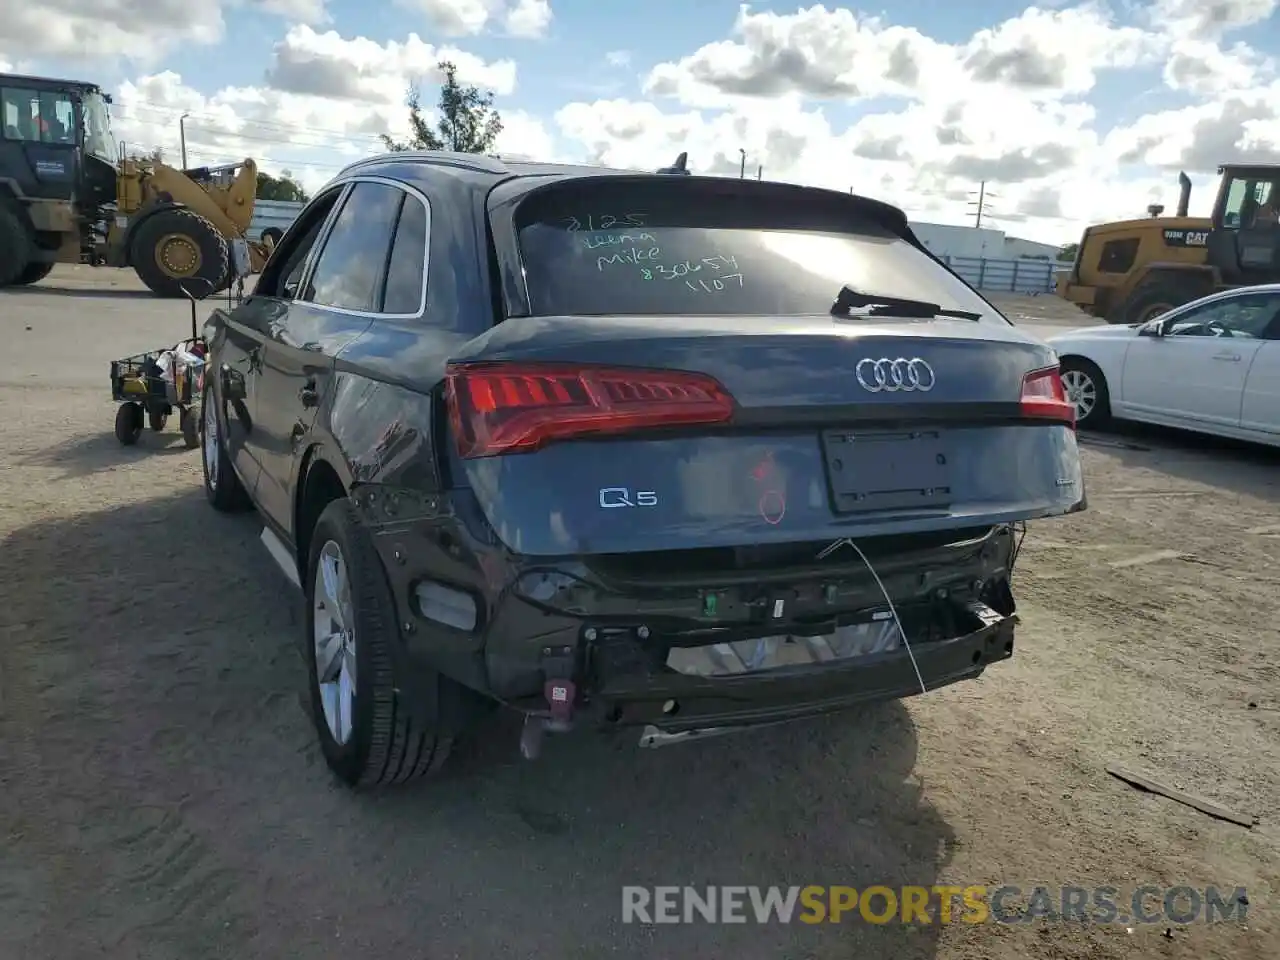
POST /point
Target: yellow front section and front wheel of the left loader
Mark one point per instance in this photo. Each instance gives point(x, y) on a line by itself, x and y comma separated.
point(179, 228)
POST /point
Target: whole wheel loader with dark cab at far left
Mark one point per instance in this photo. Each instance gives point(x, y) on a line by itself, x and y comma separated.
point(70, 195)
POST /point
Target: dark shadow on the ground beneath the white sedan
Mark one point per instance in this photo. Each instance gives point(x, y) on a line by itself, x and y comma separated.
point(1233, 465)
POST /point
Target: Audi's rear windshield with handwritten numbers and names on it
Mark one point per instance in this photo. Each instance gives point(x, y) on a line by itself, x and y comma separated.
point(680, 248)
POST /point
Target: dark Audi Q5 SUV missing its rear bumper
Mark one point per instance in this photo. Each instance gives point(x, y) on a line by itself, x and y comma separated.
point(657, 452)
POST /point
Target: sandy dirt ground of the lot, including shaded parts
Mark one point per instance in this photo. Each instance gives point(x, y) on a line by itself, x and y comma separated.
point(162, 796)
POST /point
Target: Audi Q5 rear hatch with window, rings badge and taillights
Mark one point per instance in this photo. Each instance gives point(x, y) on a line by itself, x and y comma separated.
point(678, 381)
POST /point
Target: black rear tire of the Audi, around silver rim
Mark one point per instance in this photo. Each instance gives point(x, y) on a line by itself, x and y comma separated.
point(385, 744)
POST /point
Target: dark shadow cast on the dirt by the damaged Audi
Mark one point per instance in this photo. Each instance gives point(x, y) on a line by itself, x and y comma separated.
point(167, 793)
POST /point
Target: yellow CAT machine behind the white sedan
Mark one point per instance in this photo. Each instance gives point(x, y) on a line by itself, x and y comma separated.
point(1133, 271)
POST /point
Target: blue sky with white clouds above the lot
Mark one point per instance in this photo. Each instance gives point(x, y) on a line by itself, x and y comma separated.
point(1072, 113)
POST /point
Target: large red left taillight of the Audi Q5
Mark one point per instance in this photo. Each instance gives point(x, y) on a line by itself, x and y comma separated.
point(518, 408)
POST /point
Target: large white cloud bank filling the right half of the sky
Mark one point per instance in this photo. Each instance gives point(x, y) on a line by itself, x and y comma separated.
point(1011, 106)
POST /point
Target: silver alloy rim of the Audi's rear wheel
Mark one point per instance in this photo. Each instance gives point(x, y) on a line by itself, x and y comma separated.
point(335, 637)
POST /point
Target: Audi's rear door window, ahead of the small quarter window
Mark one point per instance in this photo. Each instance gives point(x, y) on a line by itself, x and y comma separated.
point(353, 264)
